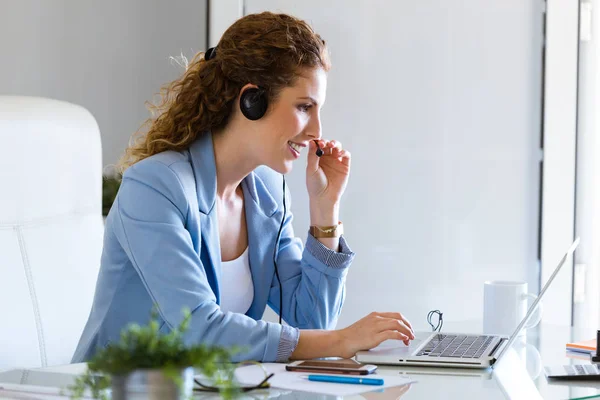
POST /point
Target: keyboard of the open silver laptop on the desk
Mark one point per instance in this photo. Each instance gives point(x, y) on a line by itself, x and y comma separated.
point(458, 346)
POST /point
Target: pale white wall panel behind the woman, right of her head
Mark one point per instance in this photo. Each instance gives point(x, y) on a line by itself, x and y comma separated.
point(440, 104)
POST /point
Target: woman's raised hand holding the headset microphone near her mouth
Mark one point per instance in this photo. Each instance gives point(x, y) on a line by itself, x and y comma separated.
point(327, 176)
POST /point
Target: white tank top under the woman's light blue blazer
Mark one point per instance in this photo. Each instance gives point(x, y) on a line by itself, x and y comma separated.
point(237, 288)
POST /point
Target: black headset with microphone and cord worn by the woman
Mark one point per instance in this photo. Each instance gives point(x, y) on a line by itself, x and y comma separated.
point(253, 105)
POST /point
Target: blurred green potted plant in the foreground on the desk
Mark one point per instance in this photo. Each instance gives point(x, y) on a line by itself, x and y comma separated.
point(145, 364)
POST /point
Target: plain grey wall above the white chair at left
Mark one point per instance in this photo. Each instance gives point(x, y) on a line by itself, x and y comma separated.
point(109, 56)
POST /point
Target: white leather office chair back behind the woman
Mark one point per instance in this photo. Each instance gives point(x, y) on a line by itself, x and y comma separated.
point(50, 228)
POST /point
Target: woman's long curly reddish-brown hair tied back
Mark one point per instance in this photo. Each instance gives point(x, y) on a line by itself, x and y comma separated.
point(266, 49)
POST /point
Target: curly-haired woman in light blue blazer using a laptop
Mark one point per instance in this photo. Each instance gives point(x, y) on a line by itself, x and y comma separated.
point(200, 220)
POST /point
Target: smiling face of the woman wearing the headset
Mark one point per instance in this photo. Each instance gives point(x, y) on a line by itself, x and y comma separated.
point(293, 120)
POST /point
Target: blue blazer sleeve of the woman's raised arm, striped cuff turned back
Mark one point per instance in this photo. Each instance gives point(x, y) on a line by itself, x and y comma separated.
point(313, 279)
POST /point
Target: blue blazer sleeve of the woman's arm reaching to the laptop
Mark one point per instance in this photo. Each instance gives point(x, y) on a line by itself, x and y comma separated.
point(152, 209)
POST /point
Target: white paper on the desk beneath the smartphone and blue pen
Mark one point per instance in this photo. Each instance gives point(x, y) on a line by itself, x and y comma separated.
point(297, 381)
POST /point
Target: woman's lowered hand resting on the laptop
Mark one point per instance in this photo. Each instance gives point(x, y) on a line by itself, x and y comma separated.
point(373, 329)
